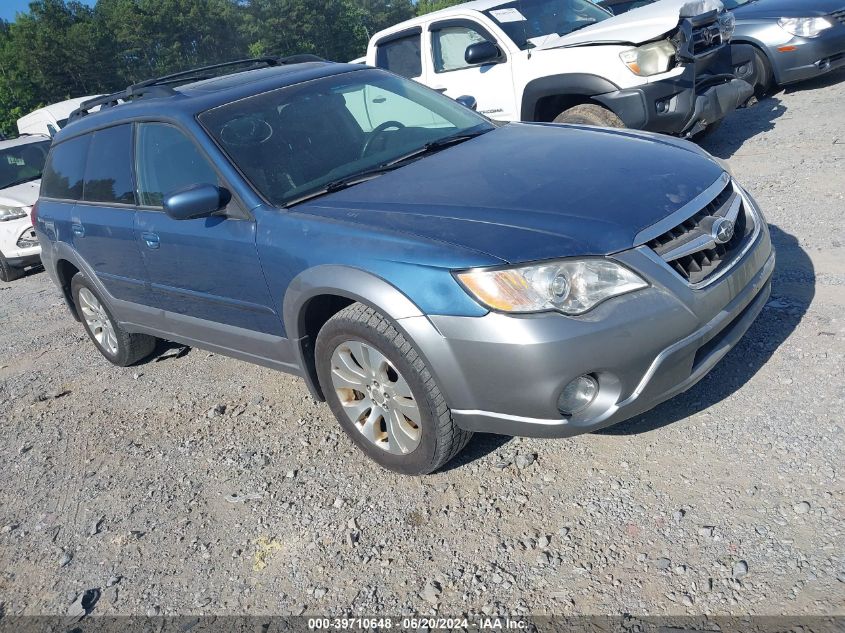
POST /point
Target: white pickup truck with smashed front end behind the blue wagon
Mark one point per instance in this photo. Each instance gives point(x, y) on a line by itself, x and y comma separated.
point(667, 67)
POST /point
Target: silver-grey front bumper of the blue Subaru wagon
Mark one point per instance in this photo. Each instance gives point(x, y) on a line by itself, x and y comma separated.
point(503, 374)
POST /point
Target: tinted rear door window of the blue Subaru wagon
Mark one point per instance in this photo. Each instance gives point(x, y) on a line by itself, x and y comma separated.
point(108, 175)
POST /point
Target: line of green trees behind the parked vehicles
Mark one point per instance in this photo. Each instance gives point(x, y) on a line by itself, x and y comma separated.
point(61, 49)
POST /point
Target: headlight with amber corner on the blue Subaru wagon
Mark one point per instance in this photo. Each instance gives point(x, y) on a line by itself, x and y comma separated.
point(570, 286)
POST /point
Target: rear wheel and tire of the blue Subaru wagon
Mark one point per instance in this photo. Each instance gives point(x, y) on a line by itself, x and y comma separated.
point(120, 347)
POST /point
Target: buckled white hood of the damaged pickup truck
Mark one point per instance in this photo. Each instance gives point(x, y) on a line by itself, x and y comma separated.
point(639, 25)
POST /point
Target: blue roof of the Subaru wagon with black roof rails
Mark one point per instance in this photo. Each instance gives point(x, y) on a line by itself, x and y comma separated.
point(189, 100)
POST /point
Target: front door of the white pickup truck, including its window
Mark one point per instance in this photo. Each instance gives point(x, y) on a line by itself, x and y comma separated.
point(490, 83)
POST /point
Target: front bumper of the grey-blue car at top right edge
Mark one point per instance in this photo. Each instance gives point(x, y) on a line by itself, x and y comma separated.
point(808, 57)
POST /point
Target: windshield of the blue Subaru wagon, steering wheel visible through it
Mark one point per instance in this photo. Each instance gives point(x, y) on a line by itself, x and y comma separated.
point(297, 140)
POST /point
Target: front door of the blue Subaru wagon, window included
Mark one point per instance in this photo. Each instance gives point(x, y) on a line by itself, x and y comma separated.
point(207, 268)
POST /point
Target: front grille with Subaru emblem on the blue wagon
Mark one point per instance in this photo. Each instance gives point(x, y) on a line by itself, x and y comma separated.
point(701, 245)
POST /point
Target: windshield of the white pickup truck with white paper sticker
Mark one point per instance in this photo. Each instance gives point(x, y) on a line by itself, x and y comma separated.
point(531, 23)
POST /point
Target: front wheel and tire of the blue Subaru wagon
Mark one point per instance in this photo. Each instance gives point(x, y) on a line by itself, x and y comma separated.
point(383, 394)
